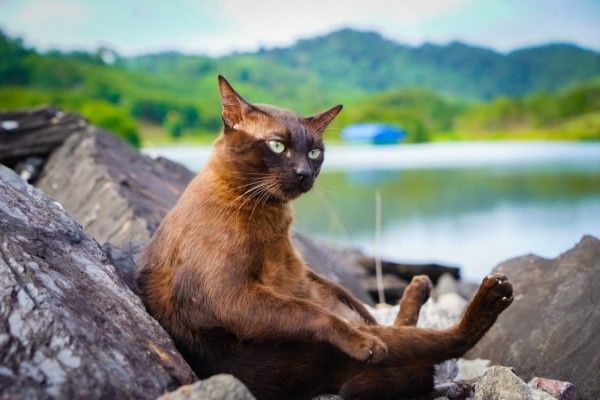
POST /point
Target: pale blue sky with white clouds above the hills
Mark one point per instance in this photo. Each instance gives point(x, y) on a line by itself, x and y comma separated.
point(220, 27)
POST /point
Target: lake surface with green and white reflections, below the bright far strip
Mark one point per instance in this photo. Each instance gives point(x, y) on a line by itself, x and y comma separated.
point(474, 217)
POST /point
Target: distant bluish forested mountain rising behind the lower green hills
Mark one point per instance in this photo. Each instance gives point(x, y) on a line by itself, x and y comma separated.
point(368, 61)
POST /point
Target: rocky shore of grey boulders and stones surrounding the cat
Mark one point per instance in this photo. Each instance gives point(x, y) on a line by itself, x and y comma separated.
point(76, 207)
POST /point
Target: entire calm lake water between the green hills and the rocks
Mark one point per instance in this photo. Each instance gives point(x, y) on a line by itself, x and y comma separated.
point(467, 204)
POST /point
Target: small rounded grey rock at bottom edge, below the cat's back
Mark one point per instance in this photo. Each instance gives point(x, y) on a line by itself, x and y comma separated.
point(217, 387)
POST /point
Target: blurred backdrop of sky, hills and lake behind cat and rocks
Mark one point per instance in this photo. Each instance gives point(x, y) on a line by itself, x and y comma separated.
point(476, 122)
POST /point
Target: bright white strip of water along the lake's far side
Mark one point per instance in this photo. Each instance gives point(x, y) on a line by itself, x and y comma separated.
point(433, 155)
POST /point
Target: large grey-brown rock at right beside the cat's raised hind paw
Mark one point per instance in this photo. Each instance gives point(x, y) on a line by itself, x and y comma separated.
point(552, 328)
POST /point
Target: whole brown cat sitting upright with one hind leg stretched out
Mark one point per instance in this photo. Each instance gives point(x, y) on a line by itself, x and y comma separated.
point(223, 278)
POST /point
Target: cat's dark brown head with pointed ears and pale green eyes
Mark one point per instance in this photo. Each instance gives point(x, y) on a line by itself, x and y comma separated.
point(271, 151)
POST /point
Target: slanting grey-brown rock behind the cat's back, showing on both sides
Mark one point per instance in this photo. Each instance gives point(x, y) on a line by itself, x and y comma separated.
point(120, 196)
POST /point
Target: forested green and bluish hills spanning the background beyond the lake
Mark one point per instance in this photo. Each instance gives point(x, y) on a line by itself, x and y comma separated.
point(452, 91)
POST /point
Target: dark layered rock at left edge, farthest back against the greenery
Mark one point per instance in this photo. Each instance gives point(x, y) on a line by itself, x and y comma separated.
point(35, 133)
